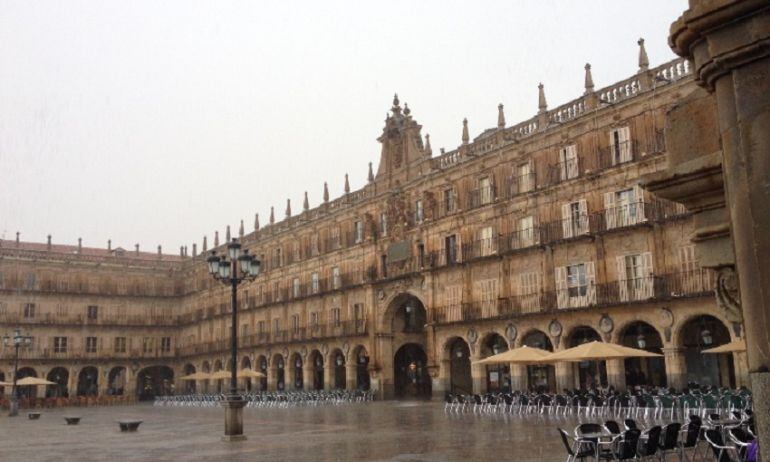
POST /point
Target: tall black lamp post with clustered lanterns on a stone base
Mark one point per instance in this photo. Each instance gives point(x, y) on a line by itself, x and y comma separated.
point(239, 268)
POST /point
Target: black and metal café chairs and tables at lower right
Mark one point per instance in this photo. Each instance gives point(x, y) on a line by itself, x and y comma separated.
point(695, 424)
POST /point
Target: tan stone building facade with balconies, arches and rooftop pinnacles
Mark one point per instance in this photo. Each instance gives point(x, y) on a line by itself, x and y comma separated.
point(533, 234)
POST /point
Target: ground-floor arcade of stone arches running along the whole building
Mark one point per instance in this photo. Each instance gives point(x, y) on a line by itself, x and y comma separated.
point(415, 359)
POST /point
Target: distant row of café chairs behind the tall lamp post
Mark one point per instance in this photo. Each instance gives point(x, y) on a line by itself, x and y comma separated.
point(279, 399)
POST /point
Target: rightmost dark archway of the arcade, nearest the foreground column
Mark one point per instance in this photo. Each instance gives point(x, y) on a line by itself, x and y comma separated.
point(702, 333)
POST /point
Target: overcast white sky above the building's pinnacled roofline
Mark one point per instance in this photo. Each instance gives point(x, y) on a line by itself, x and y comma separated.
point(158, 122)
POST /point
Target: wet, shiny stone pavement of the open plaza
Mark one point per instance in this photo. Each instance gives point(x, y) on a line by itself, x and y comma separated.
point(379, 431)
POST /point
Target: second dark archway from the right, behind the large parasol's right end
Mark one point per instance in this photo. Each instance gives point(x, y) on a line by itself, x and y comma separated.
point(644, 371)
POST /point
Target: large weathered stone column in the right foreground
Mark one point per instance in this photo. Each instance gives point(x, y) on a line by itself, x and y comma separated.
point(729, 44)
